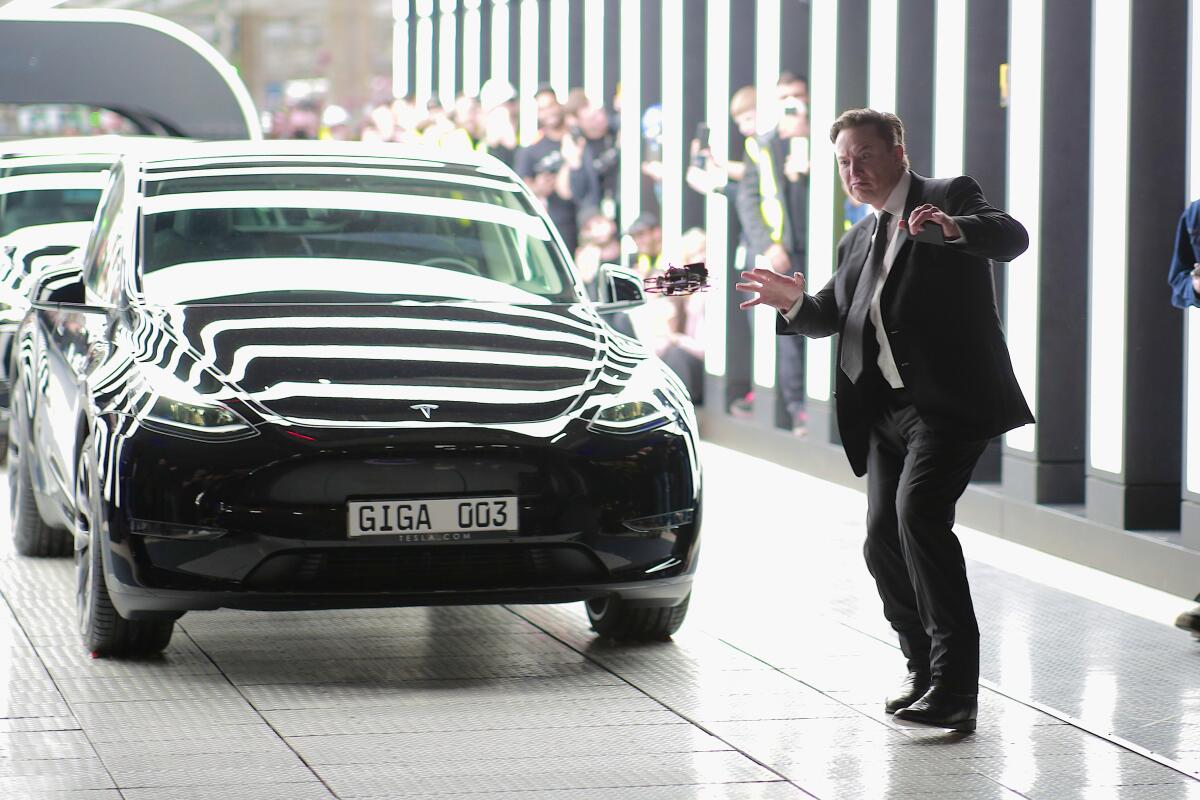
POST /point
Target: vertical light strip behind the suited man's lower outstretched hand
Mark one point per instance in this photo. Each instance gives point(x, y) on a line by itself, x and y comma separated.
point(767, 63)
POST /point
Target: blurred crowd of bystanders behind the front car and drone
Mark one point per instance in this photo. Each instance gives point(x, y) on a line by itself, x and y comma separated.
point(573, 166)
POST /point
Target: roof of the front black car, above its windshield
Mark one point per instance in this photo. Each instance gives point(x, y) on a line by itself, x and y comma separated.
point(249, 154)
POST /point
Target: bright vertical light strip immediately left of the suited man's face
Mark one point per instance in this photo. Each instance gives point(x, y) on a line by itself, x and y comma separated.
point(823, 182)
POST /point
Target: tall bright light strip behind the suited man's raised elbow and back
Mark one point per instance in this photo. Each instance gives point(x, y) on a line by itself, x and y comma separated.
point(1025, 49)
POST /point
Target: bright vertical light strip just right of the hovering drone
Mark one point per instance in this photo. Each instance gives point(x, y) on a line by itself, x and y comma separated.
point(717, 206)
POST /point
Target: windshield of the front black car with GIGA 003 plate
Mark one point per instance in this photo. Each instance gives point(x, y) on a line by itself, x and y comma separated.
point(345, 234)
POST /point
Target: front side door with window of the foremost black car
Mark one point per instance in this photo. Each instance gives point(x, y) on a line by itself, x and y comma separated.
point(74, 341)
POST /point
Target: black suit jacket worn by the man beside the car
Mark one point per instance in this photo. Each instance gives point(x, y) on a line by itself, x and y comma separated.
point(939, 310)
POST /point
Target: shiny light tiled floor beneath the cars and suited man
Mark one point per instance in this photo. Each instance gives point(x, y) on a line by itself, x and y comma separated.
point(772, 690)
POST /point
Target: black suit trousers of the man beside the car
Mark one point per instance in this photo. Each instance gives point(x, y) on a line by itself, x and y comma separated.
point(915, 477)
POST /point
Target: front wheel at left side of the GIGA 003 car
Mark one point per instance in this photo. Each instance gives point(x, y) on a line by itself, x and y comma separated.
point(105, 633)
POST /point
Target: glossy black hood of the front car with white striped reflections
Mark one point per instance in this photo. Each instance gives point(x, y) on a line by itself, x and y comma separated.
point(398, 365)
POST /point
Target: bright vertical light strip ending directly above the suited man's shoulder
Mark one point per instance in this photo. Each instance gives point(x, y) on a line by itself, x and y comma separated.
point(950, 86)
